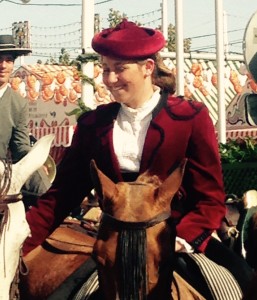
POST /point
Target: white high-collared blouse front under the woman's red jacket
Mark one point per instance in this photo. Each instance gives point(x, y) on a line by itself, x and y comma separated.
point(129, 133)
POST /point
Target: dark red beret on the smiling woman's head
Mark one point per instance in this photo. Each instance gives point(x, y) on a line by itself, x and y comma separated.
point(128, 41)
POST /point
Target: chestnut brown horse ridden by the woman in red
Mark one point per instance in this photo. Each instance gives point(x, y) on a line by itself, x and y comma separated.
point(71, 255)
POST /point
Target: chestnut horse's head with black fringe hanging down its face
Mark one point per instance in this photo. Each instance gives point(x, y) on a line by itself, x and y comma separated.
point(136, 239)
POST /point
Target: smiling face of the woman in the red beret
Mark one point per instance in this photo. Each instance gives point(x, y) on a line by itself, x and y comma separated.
point(128, 81)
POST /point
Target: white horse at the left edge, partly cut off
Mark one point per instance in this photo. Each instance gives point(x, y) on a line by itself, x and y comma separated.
point(14, 228)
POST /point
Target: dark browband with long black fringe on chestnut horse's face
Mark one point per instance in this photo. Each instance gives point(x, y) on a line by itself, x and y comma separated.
point(131, 253)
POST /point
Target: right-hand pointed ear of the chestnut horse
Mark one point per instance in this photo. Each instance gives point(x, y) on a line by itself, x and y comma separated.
point(171, 184)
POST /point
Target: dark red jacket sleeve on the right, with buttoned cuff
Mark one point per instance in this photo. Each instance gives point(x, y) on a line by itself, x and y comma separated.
point(203, 183)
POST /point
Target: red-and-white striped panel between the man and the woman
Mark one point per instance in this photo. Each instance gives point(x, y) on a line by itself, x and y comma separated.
point(63, 134)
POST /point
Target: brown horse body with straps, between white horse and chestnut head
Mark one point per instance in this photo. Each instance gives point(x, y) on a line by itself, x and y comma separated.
point(61, 255)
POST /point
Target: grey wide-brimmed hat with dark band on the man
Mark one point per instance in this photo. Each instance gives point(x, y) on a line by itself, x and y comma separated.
point(7, 45)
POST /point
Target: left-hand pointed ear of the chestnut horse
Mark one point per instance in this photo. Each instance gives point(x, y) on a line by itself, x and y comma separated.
point(104, 186)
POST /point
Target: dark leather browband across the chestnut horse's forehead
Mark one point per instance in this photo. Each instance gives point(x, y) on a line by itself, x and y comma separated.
point(121, 225)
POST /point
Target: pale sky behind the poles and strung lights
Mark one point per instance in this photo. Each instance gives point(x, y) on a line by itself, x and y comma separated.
point(56, 24)
